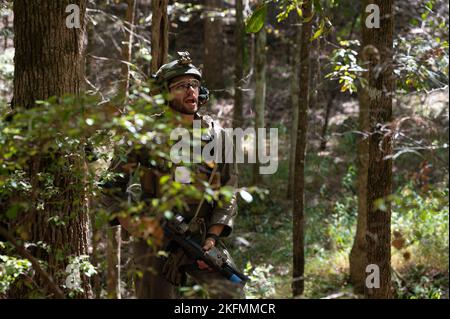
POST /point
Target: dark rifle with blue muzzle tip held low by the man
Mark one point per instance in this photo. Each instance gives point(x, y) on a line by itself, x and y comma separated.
point(176, 229)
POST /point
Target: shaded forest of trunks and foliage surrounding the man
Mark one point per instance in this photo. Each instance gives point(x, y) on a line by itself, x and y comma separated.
point(308, 68)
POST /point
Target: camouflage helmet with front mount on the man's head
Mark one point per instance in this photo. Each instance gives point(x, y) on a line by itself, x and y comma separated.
point(182, 66)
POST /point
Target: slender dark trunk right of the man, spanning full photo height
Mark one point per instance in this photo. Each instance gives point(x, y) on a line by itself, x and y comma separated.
point(299, 182)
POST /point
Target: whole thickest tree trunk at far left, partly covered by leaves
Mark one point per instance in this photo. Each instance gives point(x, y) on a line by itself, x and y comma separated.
point(49, 61)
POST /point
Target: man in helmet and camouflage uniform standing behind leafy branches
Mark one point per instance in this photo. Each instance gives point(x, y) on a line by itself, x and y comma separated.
point(209, 223)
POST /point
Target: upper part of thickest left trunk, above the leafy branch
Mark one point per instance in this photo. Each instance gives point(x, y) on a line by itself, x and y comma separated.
point(49, 57)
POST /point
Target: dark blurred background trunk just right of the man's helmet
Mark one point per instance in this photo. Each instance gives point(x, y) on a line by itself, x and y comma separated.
point(213, 42)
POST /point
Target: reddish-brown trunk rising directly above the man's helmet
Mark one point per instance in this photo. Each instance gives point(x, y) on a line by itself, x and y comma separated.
point(160, 34)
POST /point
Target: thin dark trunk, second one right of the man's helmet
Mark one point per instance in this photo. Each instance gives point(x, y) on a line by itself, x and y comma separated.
point(239, 66)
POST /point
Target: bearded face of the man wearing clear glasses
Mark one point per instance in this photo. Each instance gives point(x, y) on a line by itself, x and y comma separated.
point(184, 90)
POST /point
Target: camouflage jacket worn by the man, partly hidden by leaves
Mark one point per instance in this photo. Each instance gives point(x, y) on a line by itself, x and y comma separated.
point(124, 188)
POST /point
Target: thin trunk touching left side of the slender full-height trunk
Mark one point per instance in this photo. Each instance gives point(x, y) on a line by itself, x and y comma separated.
point(295, 60)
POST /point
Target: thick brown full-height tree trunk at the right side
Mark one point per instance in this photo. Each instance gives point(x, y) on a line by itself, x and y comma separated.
point(378, 49)
